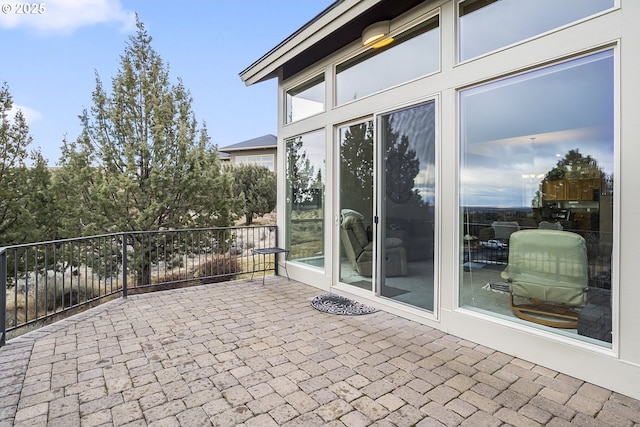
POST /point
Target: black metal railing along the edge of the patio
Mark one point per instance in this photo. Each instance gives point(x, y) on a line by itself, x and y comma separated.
point(42, 282)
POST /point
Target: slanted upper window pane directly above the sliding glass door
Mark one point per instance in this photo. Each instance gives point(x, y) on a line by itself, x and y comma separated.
point(379, 69)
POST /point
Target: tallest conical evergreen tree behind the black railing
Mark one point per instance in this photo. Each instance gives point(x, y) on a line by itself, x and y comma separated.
point(141, 162)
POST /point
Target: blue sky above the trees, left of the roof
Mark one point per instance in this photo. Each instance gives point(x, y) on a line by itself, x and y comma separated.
point(49, 60)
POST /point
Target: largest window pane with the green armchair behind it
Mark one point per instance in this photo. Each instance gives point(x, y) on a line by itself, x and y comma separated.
point(537, 155)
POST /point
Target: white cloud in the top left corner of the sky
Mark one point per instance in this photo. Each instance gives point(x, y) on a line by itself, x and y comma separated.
point(65, 16)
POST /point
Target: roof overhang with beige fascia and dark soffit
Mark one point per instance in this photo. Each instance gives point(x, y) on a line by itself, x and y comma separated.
point(334, 28)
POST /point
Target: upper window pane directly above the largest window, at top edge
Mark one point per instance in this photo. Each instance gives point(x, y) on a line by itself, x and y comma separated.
point(487, 25)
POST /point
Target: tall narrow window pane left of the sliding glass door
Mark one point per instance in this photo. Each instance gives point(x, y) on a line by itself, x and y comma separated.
point(305, 197)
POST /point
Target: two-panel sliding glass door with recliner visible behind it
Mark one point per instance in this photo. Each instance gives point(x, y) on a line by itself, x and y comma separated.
point(387, 205)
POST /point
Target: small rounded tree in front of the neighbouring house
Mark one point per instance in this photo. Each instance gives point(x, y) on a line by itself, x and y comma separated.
point(257, 186)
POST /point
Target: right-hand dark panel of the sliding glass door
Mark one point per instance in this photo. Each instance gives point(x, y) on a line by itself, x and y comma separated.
point(407, 204)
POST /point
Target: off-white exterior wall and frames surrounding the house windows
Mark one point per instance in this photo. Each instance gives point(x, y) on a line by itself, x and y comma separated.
point(616, 367)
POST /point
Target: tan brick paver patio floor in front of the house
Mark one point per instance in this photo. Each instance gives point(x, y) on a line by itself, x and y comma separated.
point(240, 353)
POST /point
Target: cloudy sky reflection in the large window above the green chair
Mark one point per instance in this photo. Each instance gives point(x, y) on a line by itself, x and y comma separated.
point(524, 124)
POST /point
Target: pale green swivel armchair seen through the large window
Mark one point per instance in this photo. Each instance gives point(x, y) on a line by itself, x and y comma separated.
point(549, 270)
